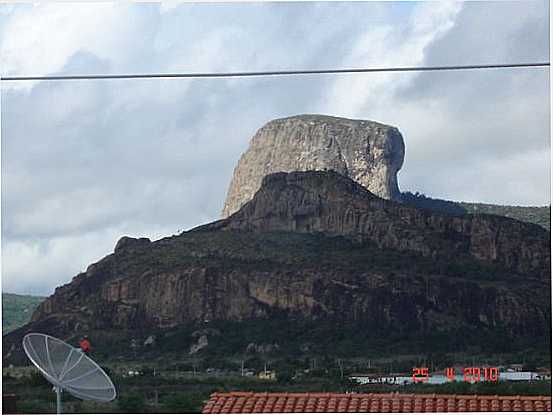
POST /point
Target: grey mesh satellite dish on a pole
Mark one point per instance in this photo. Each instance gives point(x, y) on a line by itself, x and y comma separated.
point(68, 368)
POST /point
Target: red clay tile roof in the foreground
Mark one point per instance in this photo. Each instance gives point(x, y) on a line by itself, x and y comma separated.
point(250, 402)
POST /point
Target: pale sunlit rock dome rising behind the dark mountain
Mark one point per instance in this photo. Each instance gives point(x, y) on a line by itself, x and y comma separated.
point(368, 152)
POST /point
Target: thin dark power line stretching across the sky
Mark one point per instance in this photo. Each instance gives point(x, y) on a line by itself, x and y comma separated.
point(274, 73)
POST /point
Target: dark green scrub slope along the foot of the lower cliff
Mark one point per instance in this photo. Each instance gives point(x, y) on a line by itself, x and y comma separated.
point(288, 342)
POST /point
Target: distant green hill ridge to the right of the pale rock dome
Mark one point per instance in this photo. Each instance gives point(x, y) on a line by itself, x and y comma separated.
point(539, 215)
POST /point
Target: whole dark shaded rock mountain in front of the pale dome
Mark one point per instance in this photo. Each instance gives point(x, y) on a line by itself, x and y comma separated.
point(317, 245)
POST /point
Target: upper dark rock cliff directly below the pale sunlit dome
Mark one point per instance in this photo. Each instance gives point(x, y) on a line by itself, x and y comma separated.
point(330, 203)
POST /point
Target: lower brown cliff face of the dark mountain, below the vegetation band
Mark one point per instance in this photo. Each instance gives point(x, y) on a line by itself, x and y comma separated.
point(395, 299)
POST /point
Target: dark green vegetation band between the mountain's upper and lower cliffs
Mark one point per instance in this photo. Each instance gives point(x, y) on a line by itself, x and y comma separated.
point(270, 251)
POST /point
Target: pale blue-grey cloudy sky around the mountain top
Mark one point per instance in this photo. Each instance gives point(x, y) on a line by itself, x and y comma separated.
point(86, 162)
